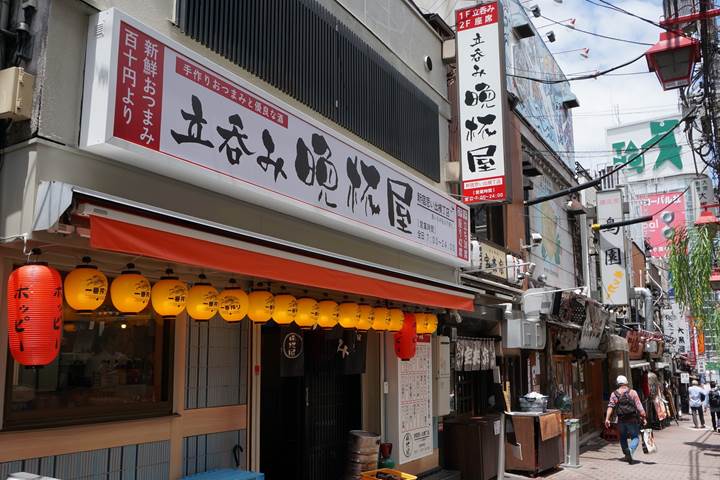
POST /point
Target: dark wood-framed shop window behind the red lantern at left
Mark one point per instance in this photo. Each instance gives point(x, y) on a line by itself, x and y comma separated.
point(110, 367)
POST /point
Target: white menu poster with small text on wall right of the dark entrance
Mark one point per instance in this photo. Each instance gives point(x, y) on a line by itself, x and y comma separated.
point(415, 403)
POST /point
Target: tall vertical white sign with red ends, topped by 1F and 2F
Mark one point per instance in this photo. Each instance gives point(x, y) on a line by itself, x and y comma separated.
point(481, 90)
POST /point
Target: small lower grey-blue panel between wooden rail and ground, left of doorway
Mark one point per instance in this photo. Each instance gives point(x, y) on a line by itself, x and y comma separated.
point(207, 452)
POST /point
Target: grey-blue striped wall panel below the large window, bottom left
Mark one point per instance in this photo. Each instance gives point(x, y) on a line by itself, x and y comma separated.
point(146, 461)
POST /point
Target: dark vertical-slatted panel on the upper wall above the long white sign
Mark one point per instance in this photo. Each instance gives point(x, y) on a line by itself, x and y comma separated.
point(300, 48)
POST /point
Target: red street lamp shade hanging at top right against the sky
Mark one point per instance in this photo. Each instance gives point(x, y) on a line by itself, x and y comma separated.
point(672, 59)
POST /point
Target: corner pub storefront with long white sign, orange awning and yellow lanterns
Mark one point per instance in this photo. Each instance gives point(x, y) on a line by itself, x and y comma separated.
point(327, 214)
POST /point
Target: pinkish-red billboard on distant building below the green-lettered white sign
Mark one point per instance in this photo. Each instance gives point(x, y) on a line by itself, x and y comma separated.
point(658, 231)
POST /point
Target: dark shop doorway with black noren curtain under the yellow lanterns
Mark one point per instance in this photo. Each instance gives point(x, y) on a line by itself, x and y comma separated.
point(308, 405)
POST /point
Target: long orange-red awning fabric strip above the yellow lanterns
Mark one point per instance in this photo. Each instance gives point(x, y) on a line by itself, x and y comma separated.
point(193, 247)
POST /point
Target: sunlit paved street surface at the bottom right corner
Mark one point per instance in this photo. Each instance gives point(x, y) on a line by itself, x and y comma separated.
point(684, 453)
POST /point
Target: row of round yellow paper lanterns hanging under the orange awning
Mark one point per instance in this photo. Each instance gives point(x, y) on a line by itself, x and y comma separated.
point(86, 288)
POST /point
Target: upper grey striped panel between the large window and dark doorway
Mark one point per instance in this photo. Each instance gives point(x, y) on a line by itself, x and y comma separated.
point(217, 355)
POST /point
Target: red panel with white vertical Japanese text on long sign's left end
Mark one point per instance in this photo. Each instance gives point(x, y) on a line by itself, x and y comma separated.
point(138, 94)
